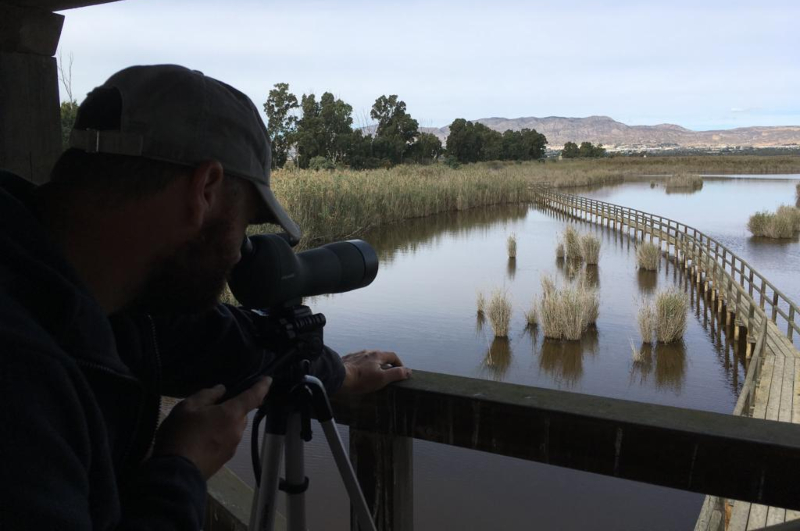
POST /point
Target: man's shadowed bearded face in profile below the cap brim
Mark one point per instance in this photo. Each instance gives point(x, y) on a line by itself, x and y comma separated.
point(192, 278)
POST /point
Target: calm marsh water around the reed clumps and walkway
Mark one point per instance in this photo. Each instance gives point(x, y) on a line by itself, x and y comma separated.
point(422, 305)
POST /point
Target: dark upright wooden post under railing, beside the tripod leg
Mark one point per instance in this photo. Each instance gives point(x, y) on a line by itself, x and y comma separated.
point(385, 471)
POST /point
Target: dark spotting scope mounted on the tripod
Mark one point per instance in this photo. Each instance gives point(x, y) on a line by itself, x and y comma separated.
point(271, 275)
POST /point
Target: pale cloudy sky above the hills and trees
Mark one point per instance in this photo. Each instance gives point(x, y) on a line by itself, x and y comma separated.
point(702, 65)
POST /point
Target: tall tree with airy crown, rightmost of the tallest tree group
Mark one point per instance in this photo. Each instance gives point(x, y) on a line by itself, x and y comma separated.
point(396, 129)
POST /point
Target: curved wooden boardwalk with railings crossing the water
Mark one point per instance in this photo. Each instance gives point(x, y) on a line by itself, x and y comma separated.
point(754, 311)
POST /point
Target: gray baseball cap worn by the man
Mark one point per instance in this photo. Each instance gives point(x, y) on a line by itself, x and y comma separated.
point(173, 114)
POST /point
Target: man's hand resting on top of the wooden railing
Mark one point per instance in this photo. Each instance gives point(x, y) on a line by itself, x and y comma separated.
point(371, 370)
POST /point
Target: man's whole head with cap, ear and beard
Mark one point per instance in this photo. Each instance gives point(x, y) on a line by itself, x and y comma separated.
point(185, 148)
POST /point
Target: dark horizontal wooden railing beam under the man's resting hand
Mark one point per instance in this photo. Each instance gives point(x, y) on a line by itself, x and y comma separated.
point(731, 457)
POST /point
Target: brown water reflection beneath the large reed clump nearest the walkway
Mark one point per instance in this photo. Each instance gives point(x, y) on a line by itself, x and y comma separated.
point(669, 361)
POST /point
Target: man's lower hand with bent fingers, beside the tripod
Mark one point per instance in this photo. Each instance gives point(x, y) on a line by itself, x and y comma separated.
point(205, 432)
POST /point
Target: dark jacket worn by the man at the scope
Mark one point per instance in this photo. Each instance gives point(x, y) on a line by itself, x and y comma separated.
point(80, 393)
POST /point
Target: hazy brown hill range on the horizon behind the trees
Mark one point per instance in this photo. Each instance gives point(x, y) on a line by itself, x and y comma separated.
point(610, 133)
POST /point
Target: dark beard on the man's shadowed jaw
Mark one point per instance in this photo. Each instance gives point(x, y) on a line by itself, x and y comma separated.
point(192, 278)
